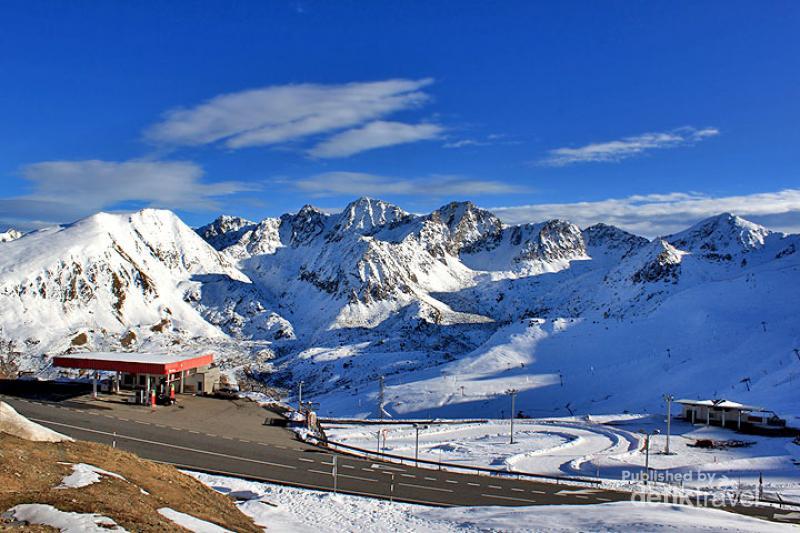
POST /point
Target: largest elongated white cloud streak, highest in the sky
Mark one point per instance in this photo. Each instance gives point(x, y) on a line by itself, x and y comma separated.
point(283, 113)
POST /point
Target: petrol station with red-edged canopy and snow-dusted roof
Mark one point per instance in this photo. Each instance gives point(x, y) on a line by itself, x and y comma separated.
point(148, 371)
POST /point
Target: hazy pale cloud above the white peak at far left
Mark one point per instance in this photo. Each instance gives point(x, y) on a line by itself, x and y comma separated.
point(67, 190)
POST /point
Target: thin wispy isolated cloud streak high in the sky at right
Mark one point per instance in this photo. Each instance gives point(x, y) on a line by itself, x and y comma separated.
point(612, 151)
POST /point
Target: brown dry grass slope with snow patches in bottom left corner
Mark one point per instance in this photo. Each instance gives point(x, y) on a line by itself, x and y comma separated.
point(30, 471)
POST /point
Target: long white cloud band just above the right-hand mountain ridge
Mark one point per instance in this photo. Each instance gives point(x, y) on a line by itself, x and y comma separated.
point(660, 214)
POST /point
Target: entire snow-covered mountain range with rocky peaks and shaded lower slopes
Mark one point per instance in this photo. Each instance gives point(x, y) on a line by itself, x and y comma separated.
point(453, 306)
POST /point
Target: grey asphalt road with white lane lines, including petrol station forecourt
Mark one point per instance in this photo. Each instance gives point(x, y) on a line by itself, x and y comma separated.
point(271, 454)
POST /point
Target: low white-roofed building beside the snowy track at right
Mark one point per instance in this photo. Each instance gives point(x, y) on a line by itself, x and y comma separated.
point(727, 413)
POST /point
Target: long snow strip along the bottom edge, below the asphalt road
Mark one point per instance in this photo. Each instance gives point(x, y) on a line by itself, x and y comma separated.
point(289, 509)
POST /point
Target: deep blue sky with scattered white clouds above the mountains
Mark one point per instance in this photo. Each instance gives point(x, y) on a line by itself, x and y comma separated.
point(647, 115)
